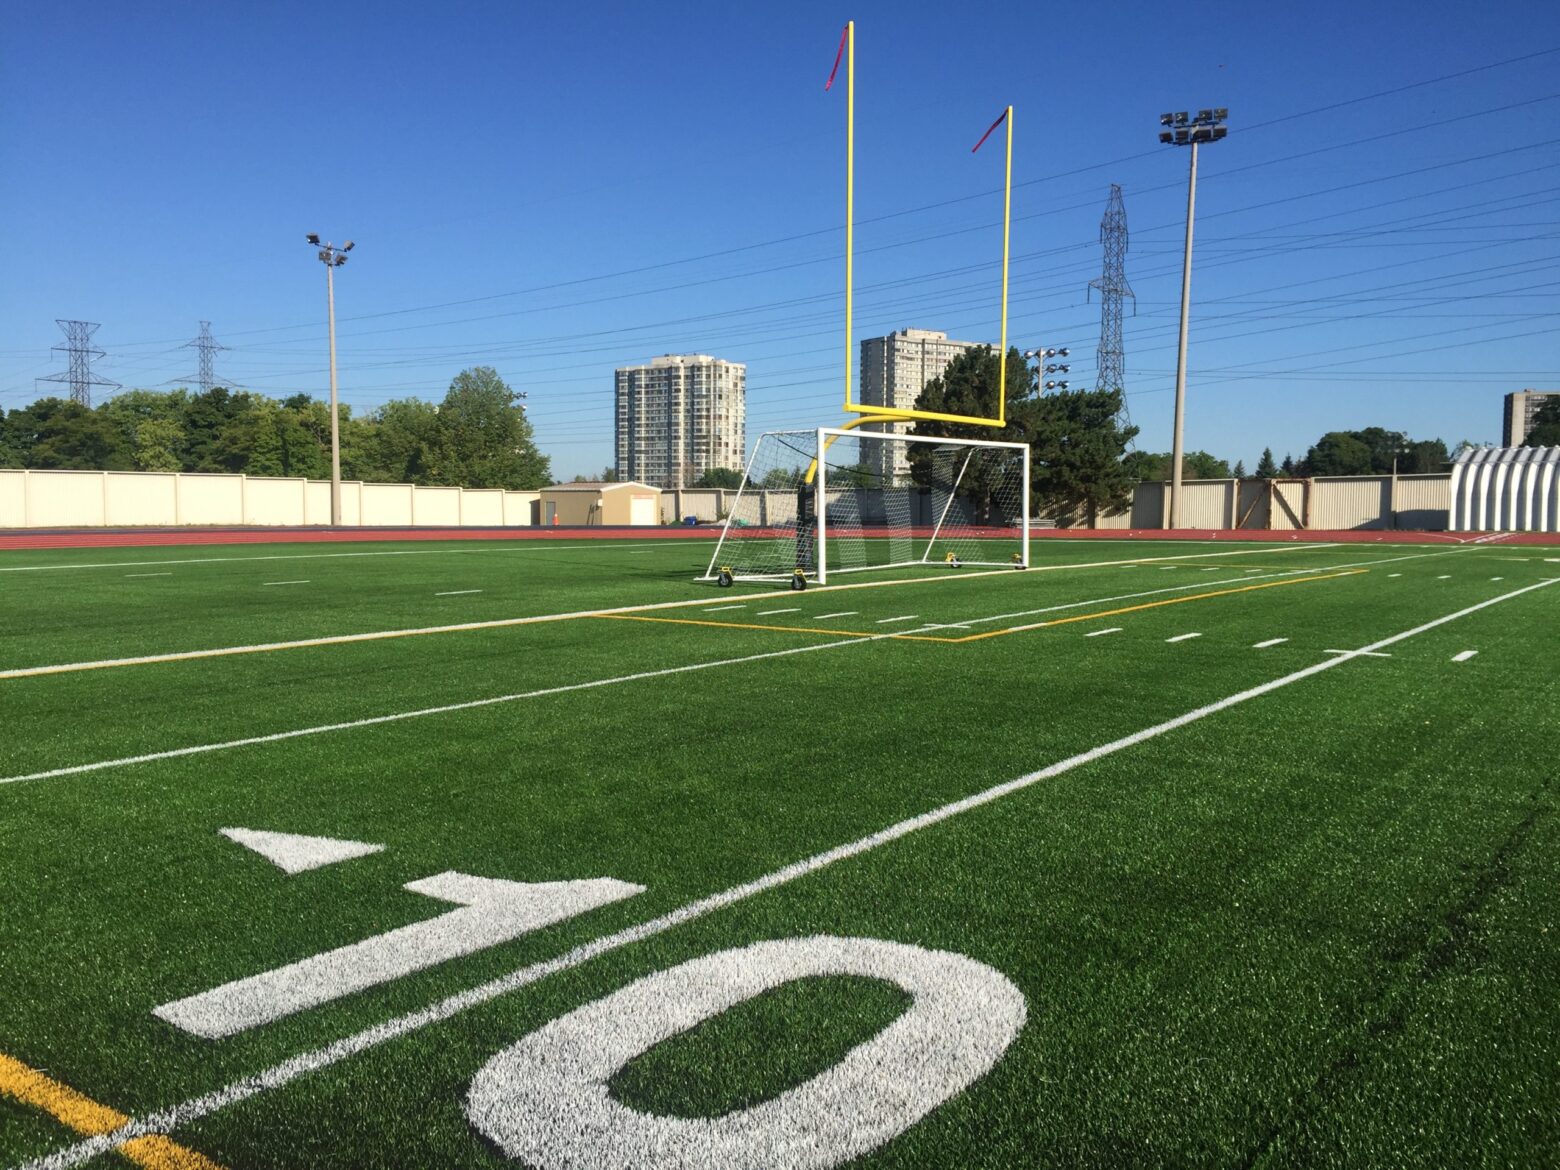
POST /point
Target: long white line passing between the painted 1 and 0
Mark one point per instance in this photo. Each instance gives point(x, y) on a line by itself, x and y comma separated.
point(168, 1121)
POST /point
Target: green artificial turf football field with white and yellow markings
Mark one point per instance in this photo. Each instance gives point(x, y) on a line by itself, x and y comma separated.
point(545, 854)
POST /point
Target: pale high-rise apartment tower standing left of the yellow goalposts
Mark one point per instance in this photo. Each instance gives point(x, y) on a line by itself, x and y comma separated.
point(679, 417)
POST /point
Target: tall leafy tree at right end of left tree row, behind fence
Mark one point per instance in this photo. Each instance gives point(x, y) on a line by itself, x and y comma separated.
point(489, 438)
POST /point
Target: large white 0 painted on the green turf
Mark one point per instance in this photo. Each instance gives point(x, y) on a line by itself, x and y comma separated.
point(545, 1099)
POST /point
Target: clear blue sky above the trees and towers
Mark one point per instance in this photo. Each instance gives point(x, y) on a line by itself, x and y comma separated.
point(559, 190)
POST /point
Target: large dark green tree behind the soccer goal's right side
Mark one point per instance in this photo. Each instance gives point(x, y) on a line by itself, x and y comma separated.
point(1077, 439)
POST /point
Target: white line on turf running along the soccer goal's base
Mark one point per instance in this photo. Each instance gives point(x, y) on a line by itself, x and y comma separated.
point(502, 623)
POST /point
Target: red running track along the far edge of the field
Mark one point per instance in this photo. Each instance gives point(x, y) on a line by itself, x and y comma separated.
point(99, 539)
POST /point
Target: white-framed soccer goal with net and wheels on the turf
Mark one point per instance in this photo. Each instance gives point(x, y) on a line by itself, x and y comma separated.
point(828, 502)
